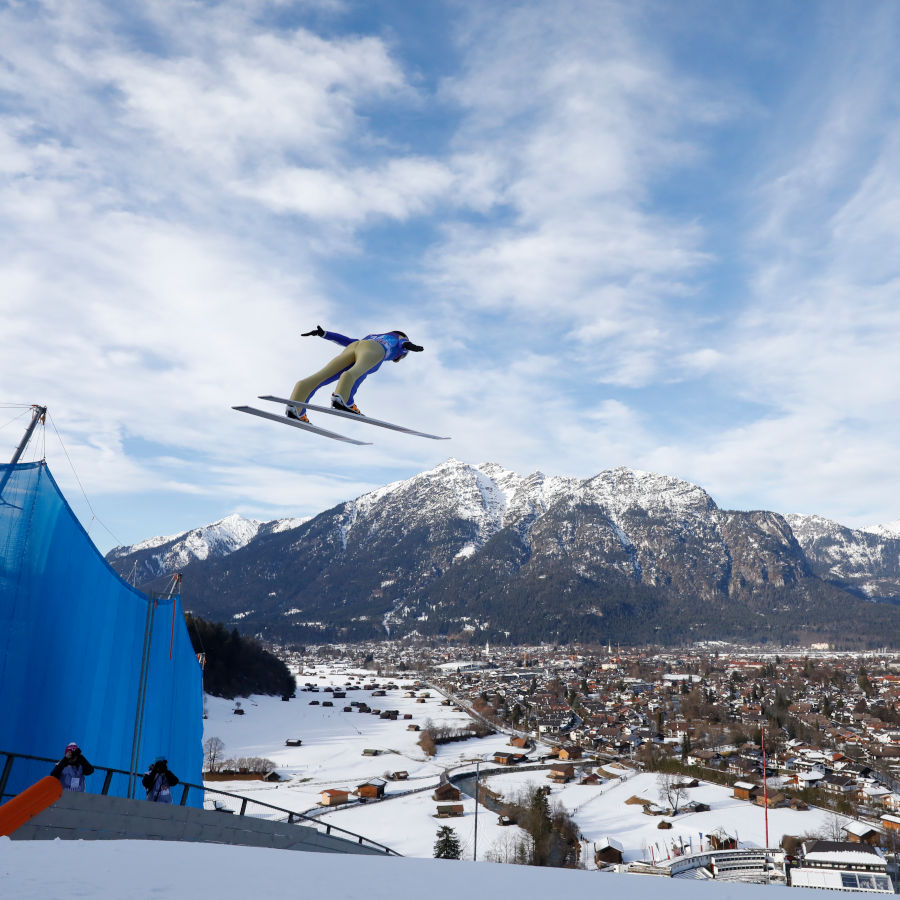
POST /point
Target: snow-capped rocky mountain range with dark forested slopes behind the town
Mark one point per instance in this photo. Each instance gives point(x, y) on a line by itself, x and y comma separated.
point(484, 553)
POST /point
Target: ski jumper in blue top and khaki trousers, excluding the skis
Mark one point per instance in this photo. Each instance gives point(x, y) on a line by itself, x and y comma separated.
point(350, 367)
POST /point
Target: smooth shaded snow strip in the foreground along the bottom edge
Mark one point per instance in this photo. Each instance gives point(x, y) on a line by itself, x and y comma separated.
point(146, 870)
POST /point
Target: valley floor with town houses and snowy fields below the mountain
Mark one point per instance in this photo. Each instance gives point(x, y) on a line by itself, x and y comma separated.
point(755, 764)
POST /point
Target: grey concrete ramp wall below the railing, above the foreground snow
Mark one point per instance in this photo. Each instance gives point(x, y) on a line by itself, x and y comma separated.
point(78, 816)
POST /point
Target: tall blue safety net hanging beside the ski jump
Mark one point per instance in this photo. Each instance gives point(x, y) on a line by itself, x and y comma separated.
point(85, 657)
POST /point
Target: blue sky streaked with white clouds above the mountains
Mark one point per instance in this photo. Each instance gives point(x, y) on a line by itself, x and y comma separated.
point(646, 234)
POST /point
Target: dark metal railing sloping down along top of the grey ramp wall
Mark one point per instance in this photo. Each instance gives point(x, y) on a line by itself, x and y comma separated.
point(208, 799)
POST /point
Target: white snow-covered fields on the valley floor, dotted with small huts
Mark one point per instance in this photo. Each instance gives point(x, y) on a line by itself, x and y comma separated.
point(332, 757)
